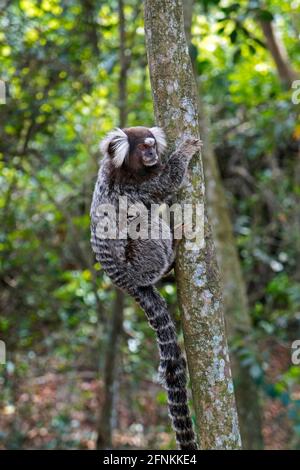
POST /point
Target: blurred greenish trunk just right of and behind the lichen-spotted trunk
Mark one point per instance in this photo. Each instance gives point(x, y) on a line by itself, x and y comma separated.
point(234, 290)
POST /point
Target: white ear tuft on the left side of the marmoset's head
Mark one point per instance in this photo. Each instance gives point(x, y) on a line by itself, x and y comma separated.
point(120, 146)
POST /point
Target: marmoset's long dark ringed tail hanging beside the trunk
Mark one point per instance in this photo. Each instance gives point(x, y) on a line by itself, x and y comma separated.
point(172, 367)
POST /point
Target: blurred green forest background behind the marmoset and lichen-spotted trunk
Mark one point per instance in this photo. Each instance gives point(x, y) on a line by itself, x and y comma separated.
point(81, 360)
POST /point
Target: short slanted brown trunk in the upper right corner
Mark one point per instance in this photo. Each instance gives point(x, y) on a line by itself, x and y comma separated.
point(286, 74)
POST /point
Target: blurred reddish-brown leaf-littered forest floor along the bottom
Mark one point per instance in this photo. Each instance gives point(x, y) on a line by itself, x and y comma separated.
point(59, 410)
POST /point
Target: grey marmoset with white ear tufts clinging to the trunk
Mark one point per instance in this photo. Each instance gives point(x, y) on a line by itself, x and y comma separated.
point(132, 167)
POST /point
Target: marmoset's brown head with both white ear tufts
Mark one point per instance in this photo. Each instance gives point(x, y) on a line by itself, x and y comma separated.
point(134, 150)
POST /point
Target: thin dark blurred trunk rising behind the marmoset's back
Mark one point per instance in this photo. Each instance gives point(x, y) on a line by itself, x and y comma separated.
point(104, 439)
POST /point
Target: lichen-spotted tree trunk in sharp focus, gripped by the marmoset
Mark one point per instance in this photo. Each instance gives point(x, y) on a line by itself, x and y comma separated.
point(199, 295)
